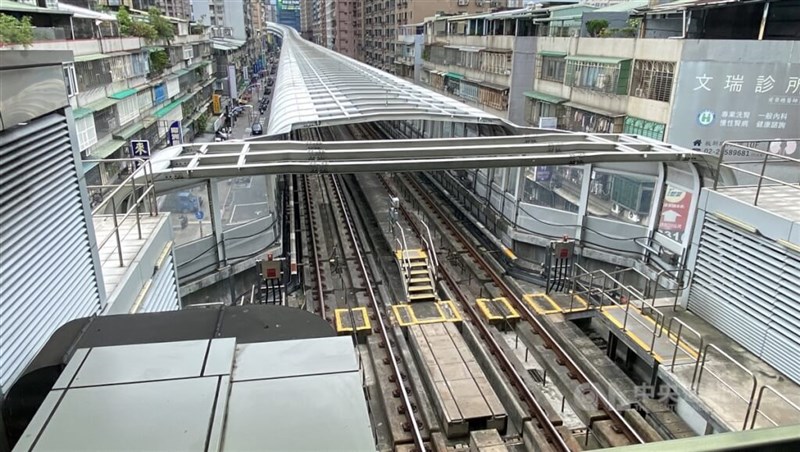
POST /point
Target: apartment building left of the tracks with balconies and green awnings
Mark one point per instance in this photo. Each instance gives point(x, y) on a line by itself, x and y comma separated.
point(123, 89)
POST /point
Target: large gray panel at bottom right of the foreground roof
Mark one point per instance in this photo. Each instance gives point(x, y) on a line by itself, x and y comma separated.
point(310, 413)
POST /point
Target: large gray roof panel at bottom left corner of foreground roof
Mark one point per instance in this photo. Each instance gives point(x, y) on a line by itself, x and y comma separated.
point(154, 416)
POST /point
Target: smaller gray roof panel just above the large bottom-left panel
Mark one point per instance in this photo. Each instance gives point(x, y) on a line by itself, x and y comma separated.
point(142, 362)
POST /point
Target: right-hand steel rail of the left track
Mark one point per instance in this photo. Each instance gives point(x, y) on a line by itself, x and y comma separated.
point(417, 434)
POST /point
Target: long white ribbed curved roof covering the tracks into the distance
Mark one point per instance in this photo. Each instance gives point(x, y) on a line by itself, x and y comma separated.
point(316, 86)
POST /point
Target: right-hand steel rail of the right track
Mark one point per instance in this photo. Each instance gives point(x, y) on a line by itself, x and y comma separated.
point(603, 403)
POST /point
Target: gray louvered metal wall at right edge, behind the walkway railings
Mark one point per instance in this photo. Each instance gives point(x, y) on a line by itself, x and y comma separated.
point(748, 286)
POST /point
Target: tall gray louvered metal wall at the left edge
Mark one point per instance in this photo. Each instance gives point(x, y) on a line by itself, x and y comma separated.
point(47, 276)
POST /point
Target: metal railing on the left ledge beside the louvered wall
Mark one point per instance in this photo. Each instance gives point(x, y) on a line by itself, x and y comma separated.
point(119, 193)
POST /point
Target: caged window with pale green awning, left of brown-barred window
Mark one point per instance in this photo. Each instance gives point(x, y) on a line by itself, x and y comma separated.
point(604, 77)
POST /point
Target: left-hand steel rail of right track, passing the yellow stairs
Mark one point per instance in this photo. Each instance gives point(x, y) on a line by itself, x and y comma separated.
point(516, 379)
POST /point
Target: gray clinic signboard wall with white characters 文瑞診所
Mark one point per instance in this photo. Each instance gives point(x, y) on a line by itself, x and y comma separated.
point(721, 96)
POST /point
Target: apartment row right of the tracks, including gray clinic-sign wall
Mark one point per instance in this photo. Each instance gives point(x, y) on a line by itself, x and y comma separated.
point(657, 74)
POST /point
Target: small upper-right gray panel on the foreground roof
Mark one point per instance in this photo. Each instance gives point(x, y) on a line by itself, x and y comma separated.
point(291, 358)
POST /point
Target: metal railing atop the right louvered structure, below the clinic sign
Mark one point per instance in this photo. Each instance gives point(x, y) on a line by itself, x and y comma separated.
point(761, 163)
